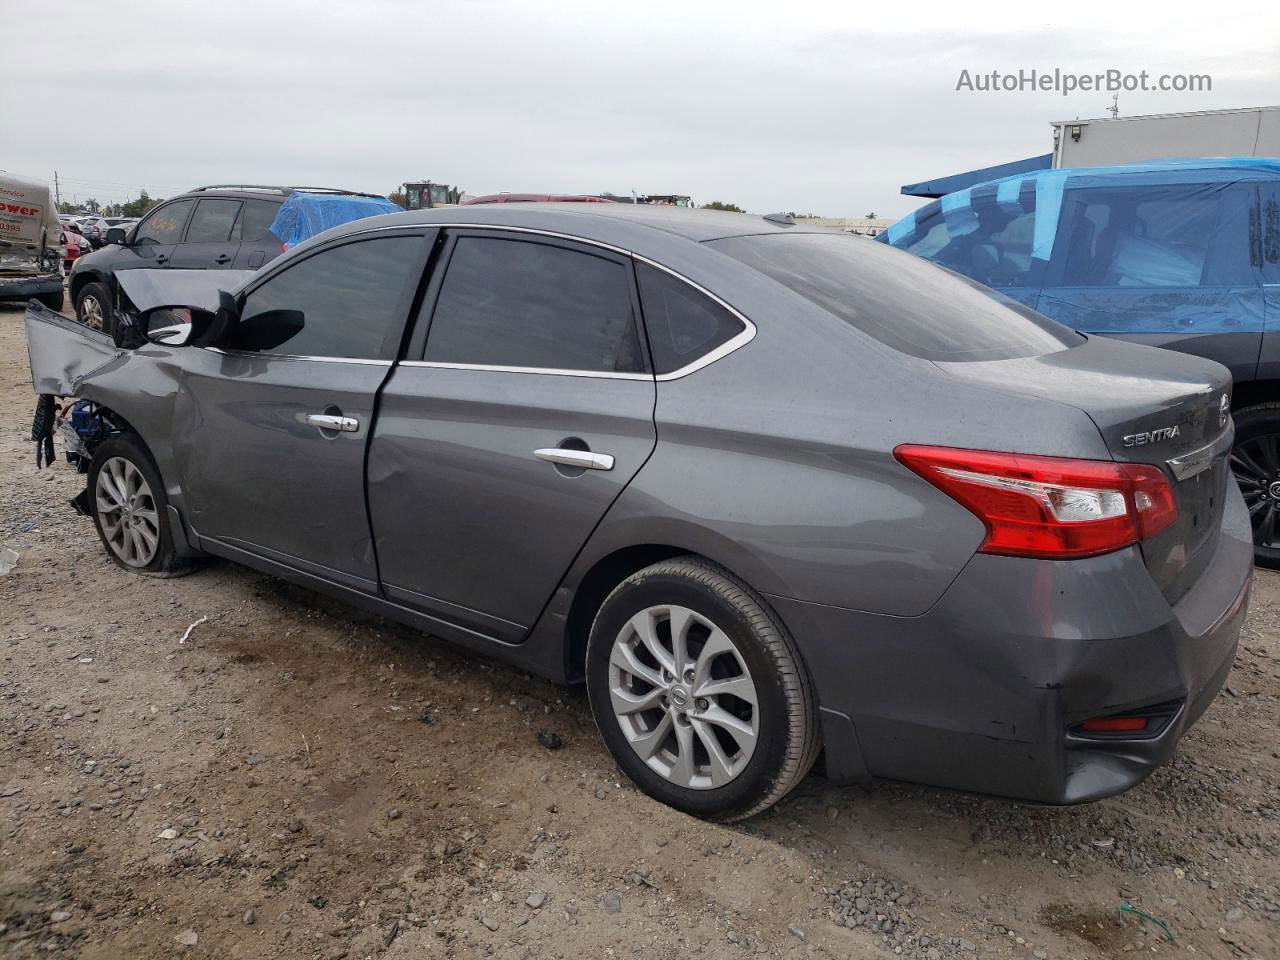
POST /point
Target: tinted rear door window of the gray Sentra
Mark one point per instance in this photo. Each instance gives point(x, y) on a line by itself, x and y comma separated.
point(522, 304)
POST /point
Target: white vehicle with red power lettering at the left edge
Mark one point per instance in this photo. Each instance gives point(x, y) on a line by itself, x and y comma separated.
point(30, 243)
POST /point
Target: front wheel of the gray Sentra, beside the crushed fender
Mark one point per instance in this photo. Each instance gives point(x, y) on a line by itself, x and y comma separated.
point(130, 509)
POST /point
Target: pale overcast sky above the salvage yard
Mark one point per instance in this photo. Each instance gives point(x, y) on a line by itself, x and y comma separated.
point(822, 108)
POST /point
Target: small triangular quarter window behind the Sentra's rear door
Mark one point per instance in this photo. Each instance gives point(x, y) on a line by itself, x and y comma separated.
point(683, 324)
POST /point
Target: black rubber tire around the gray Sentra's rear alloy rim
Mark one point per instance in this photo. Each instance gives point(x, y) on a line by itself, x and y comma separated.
point(788, 734)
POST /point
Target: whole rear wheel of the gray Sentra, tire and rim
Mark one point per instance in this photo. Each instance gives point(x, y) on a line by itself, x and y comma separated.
point(700, 692)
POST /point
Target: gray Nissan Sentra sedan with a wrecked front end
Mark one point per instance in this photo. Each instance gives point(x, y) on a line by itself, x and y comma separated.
point(769, 491)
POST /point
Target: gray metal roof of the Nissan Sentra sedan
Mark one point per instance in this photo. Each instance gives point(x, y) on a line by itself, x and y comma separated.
point(620, 225)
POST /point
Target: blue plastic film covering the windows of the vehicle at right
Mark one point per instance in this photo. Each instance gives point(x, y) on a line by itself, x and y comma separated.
point(1174, 248)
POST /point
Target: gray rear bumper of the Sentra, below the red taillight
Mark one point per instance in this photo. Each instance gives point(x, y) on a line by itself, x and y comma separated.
point(981, 693)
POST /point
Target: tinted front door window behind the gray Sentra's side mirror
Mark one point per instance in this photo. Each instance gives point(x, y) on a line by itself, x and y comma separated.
point(348, 299)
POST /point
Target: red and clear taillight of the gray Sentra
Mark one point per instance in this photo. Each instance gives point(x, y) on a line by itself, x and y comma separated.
point(1050, 508)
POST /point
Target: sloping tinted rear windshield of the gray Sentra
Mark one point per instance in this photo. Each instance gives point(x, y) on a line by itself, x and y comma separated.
point(900, 300)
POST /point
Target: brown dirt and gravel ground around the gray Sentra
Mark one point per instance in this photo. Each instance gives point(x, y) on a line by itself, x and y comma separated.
point(301, 780)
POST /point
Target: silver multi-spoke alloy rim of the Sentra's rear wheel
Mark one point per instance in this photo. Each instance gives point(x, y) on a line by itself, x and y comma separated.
point(684, 697)
